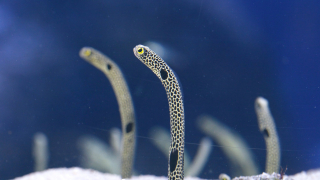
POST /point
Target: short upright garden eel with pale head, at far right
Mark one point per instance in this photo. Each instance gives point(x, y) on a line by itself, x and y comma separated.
point(268, 129)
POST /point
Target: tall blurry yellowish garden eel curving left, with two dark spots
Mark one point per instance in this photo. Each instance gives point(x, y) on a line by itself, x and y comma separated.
point(120, 87)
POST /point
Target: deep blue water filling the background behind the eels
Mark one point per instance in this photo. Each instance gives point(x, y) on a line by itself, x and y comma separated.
point(226, 54)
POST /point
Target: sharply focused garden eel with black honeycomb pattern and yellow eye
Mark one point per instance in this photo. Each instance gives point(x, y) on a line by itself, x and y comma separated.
point(170, 82)
